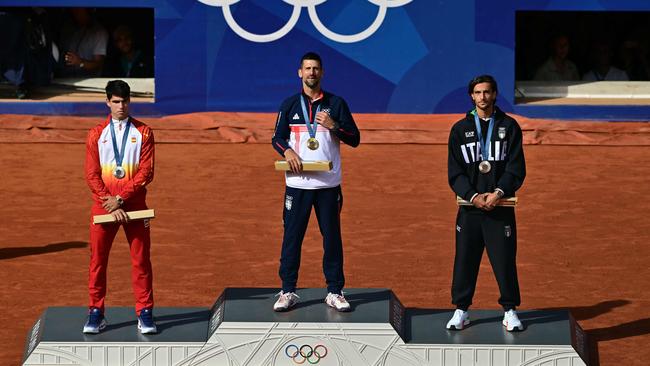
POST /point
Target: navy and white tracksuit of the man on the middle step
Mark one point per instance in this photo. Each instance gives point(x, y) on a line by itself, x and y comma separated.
point(322, 190)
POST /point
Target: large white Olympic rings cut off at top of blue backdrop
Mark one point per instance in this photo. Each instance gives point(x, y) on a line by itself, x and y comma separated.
point(313, 15)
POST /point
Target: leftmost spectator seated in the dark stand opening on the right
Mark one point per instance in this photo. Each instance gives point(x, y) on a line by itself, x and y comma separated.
point(558, 67)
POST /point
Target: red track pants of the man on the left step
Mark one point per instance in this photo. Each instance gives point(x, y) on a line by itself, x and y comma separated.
point(101, 240)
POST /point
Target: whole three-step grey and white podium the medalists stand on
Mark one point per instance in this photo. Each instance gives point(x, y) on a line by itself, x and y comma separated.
point(242, 329)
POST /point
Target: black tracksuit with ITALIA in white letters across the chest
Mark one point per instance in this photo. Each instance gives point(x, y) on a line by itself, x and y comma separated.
point(495, 230)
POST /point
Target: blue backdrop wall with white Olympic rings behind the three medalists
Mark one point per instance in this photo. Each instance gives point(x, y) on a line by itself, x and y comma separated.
point(382, 56)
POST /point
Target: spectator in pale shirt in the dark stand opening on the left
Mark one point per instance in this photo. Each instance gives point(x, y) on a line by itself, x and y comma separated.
point(84, 44)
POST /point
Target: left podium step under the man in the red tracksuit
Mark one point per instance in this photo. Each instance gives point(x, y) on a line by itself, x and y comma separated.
point(56, 338)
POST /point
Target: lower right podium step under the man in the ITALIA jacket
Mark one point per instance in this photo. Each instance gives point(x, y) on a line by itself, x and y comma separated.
point(551, 338)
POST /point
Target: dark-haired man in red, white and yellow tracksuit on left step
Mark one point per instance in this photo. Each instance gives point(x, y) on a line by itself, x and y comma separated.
point(119, 165)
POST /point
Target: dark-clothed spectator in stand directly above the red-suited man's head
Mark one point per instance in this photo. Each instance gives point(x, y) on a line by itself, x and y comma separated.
point(129, 62)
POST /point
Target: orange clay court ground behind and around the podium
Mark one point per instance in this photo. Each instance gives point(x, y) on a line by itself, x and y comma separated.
point(584, 232)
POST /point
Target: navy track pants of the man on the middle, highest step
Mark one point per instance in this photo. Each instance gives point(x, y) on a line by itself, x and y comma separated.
point(327, 203)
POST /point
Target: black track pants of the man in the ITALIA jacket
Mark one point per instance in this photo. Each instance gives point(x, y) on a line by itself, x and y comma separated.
point(497, 232)
